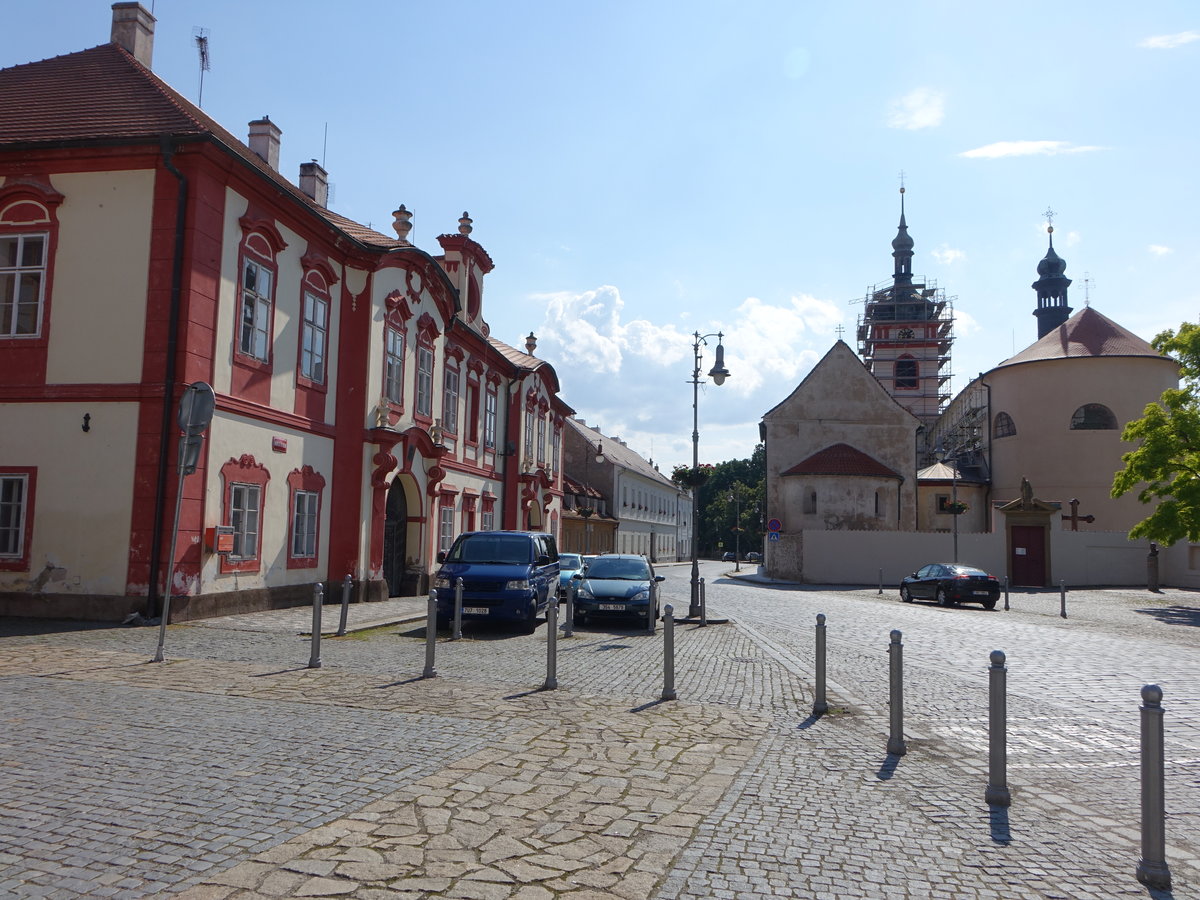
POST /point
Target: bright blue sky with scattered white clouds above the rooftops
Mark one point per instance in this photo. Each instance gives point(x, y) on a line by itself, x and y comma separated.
point(645, 172)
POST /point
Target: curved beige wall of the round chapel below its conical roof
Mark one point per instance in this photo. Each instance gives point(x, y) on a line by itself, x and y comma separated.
point(1063, 464)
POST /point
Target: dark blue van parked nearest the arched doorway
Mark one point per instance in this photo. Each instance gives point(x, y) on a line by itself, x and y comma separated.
point(507, 577)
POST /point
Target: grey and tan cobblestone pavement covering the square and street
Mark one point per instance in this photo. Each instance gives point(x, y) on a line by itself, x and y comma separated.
point(235, 771)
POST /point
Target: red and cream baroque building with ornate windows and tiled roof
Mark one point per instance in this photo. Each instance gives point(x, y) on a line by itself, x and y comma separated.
point(364, 413)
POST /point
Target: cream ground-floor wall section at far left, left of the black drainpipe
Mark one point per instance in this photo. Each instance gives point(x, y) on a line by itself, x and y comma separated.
point(82, 508)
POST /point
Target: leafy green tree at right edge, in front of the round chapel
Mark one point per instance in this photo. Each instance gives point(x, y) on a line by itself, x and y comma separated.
point(1167, 461)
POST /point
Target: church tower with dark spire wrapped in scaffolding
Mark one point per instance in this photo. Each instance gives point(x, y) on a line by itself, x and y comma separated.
point(905, 335)
